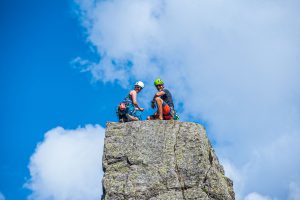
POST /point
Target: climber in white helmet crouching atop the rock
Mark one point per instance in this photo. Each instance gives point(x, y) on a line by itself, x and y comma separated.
point(129, 109)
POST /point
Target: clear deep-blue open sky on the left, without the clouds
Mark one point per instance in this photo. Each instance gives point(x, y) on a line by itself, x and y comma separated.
point(39, 88)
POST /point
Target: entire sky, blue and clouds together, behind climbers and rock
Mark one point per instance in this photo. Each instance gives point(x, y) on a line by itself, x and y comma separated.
point(231, 65)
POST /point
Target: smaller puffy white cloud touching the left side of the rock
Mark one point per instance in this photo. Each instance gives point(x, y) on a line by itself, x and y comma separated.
point(68, 165)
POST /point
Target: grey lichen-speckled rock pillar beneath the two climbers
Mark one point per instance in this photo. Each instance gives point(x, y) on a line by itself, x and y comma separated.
point(159, 160)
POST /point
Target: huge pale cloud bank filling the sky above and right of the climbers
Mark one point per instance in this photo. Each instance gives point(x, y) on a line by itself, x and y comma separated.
point(234, 64)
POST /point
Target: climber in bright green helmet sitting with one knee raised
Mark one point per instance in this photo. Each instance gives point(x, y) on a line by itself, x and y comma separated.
point(164, 103)
